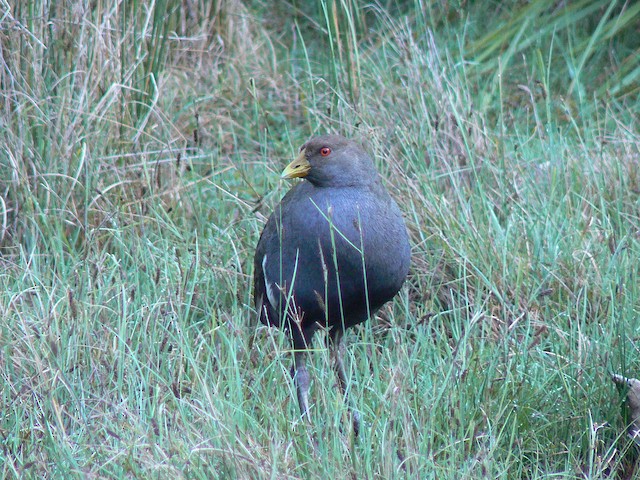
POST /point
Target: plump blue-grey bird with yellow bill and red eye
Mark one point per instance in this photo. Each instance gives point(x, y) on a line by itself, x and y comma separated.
point(333, 251)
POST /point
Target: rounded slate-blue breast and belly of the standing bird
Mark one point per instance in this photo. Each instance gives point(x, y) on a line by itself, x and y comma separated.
point(339, 254)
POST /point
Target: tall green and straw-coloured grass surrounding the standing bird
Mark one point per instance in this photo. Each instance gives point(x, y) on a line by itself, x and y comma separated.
point(142, 145)
